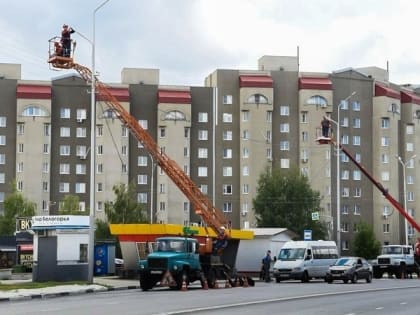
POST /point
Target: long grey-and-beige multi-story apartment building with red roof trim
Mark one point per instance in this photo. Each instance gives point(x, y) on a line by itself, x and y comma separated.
point(223, 134)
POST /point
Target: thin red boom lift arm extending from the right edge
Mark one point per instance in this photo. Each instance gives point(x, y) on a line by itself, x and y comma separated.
point(378, 185)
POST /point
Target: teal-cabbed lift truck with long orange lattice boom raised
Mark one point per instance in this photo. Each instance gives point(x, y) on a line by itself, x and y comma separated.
point(177, 260)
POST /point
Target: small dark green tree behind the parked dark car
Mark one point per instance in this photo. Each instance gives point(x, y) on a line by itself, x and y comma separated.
point(365, 243)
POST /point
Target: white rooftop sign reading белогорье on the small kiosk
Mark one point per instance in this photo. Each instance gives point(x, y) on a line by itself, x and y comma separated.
point(60, 222)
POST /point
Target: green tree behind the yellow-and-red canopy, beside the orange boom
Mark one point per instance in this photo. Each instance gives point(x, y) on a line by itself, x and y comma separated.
point(125, 208)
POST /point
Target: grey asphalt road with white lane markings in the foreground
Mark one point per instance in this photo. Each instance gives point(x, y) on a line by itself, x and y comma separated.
point(382, 296)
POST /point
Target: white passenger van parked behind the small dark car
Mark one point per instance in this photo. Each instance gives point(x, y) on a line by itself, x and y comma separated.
point(303, 260)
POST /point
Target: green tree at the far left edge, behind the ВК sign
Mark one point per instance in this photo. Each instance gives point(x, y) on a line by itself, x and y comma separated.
point(15, 205)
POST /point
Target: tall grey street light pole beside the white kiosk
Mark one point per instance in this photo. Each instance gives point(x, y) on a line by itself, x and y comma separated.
point(92, 154)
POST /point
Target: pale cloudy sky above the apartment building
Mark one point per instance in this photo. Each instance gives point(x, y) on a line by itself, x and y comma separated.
point(189, 39)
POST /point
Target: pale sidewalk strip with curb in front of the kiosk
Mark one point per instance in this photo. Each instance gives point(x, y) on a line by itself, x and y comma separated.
point(109, 283)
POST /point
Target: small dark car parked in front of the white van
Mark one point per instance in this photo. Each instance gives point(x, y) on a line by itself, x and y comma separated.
point(350, 269)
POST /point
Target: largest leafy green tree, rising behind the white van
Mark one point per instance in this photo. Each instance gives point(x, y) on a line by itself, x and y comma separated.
point(285, 199)
